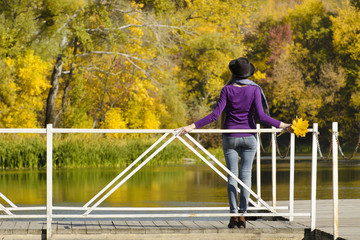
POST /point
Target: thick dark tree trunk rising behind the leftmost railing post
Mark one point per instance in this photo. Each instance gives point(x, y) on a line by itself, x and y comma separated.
point(50, 117)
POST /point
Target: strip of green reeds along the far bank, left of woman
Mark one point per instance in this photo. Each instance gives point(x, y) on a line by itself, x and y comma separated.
point(73, 151)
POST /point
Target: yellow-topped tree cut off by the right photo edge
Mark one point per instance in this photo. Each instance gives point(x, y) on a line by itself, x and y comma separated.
point(346, 40)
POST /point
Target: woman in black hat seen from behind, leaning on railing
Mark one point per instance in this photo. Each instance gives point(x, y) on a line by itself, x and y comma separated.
point(241, 99)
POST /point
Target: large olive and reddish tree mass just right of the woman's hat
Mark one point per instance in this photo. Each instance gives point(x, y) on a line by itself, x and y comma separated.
point(304, 74)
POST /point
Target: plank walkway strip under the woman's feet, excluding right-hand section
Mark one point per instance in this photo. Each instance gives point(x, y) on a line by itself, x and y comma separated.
point(150, 230)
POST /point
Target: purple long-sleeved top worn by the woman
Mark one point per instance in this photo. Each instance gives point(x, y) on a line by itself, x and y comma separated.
point(242, 103)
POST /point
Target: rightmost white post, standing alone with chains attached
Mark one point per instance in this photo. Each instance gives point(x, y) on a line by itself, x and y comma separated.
point(335, 180)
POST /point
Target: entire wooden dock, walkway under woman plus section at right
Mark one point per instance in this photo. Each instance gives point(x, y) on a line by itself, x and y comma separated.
point(349, 214)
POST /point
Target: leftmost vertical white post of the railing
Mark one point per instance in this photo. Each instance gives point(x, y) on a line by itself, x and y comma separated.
point(49, 175)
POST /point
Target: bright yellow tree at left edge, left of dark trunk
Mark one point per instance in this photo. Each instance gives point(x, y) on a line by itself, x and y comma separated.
point(24, 76)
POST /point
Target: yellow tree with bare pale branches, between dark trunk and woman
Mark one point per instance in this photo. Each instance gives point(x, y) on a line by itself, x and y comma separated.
point(119, 51)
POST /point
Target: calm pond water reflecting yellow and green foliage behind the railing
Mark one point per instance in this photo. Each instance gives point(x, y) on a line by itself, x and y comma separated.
point(180, 185)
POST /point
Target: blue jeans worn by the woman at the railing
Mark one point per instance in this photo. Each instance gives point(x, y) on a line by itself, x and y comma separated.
point(233, 147)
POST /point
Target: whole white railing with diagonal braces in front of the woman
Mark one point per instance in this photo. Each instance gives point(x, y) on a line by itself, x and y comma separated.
point(93, 204)
